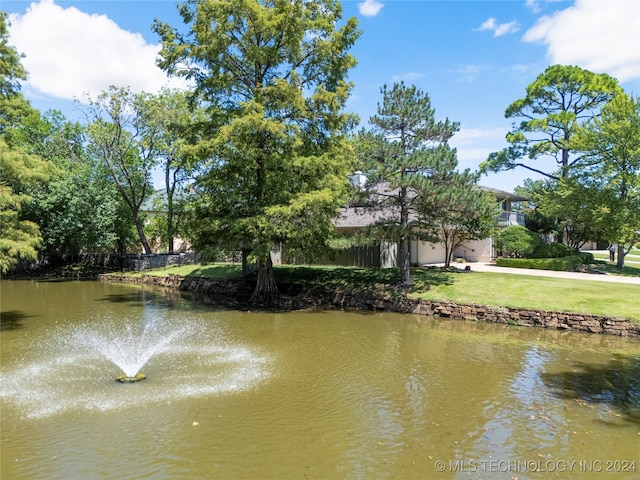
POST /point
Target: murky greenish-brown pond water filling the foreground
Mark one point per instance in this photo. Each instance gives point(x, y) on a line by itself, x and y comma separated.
point(312, 394)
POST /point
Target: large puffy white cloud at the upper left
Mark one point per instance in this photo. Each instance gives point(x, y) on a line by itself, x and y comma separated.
point(69, 53)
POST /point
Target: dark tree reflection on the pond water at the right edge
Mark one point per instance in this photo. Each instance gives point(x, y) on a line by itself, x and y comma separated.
point(616, 383)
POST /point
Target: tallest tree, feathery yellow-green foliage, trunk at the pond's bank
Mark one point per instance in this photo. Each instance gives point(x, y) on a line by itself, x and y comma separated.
point(273, 73)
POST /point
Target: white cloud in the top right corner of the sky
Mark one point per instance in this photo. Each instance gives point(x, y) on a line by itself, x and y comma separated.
point(600, 36)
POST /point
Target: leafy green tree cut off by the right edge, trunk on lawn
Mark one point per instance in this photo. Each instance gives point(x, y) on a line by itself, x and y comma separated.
point(610, 163)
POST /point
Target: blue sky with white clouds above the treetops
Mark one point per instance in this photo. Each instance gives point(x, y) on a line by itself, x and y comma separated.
point(472, 57)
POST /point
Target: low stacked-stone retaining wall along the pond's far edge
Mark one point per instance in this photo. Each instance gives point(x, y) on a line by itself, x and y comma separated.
point(235, 293)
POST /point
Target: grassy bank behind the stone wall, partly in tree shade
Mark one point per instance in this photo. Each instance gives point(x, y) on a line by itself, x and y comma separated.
point(496, 289)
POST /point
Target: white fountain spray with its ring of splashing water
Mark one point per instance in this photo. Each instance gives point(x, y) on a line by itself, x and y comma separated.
point(73, 365)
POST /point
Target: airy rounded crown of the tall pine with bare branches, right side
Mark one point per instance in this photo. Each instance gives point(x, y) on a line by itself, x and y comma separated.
point(560, 99)
